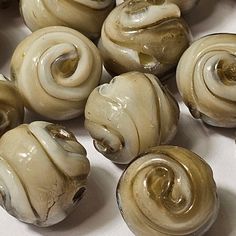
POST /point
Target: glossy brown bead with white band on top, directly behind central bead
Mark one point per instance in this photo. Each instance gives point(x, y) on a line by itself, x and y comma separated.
point(145, 36)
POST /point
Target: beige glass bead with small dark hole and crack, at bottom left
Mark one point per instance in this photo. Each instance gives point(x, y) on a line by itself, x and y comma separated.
point(43, 172)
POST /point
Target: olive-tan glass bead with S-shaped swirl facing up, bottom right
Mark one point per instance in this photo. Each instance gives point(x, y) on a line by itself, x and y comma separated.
point(168, 191)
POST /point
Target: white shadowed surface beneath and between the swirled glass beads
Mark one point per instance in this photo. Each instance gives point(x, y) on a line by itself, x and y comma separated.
point(98, 213)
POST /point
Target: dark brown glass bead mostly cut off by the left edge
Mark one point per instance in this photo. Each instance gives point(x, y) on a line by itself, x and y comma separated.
point(11, 106)
